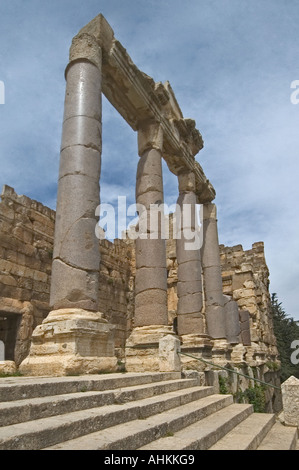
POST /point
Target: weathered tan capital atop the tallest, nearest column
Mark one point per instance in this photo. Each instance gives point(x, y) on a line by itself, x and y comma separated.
point(85, 47)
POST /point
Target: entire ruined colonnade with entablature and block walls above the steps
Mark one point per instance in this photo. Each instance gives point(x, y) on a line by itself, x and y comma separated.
point(70, 303)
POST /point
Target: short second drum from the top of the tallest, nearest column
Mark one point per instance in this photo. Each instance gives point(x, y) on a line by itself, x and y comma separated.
point(82, 130)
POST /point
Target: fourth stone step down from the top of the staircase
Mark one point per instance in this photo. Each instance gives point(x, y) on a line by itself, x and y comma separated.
point(132, 435)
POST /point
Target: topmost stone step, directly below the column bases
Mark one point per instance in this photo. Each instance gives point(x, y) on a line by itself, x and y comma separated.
point(18, 388)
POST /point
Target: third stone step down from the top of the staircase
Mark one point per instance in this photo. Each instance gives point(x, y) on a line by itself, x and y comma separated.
point(45, 432)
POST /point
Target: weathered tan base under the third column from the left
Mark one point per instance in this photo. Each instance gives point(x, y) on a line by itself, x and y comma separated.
point(198, 346)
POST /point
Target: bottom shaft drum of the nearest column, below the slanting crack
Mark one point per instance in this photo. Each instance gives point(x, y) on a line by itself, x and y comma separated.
point(73, 288)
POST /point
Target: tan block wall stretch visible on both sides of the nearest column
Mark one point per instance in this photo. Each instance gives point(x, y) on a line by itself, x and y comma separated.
point(26, 248)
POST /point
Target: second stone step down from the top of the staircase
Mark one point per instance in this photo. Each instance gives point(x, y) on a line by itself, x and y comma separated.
point(37, 408)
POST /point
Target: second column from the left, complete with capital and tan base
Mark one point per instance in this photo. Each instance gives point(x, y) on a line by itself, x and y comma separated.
point(151, 314)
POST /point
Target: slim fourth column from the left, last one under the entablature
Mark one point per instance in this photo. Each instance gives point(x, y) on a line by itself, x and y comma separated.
point(214, 299)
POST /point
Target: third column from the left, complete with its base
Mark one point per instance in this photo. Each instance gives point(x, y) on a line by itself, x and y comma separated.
point(190, 320)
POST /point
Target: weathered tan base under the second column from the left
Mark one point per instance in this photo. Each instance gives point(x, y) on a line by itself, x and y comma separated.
point(143, 352)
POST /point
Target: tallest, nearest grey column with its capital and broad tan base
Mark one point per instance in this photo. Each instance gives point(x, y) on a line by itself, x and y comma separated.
point(75, 337)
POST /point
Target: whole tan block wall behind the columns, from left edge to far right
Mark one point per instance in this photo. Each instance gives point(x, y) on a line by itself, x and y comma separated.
point(26, 246)
